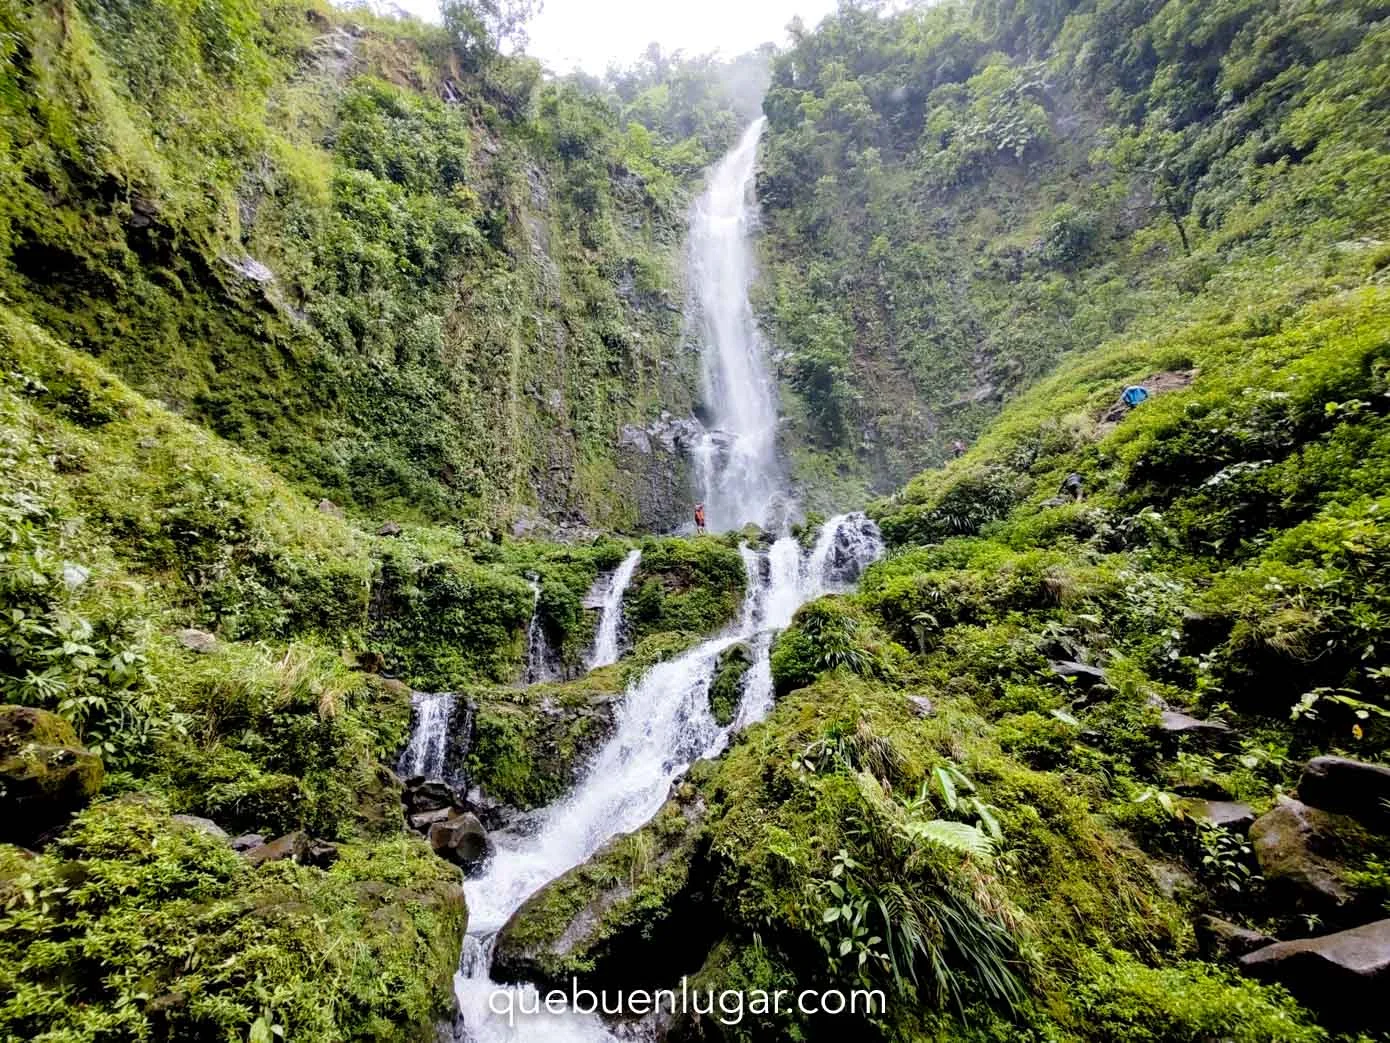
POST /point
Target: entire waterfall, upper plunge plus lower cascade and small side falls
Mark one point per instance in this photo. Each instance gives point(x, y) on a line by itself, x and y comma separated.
point(665, 722)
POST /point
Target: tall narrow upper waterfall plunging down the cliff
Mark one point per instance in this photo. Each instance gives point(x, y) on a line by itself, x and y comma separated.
point(736, 462)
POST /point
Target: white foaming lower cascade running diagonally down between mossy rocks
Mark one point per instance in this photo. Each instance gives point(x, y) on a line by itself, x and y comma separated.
point(664, 727)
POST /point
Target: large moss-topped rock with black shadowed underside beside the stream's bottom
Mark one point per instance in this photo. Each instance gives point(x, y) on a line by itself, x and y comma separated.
point(635, 916)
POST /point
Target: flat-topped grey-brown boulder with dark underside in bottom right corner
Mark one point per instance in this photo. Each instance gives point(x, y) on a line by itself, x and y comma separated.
point(1342, 977)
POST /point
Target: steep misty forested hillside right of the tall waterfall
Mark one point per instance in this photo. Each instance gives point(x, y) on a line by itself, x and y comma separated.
point(961, 195)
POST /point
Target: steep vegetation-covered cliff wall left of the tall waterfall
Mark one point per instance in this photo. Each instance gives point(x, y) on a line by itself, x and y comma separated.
point(419, 282)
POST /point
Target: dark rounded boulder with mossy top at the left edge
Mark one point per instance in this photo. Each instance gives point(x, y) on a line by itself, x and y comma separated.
point(45, 774)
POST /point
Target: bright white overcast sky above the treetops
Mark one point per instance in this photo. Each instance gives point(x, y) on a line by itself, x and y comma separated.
point(591, 34)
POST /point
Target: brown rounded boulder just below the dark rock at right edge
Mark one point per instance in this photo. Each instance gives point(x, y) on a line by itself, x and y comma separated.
point(1298, 850)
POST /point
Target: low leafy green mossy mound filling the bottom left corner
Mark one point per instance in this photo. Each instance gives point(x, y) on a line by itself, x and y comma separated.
point(134, 925)
